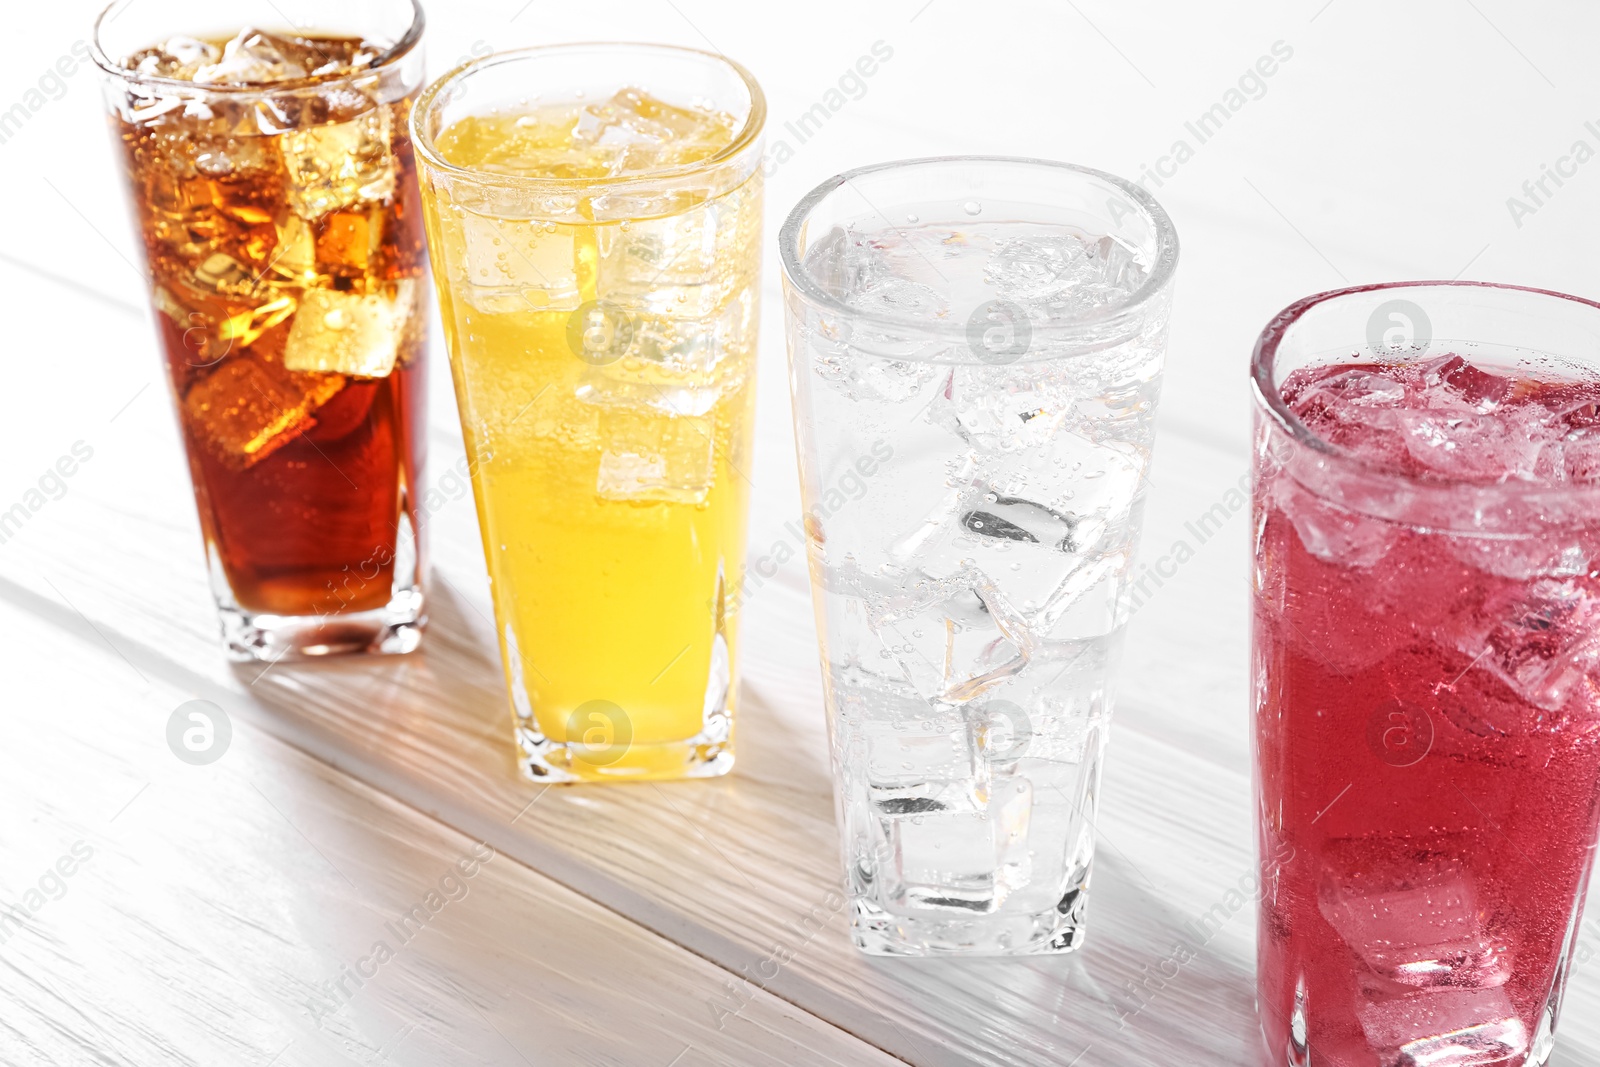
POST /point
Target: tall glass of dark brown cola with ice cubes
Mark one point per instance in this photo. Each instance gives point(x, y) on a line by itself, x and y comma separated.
point(274, 191)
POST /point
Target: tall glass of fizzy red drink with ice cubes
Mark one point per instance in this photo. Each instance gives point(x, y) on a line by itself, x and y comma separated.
point(1426, 666)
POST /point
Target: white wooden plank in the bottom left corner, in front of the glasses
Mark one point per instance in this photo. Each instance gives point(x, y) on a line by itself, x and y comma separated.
point(228, 914)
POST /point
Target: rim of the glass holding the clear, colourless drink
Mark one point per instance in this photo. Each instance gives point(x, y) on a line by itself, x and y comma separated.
point(1161, 278)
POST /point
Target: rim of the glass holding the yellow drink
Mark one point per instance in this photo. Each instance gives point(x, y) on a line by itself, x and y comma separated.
point(748, 135)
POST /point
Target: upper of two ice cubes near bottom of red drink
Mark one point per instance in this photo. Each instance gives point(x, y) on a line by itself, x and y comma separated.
point(1426, 930)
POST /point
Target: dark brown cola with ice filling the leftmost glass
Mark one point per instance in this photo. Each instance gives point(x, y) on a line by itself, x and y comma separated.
point(287, 263)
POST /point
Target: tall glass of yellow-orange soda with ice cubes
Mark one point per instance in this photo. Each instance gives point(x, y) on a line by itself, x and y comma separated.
point(596, 217)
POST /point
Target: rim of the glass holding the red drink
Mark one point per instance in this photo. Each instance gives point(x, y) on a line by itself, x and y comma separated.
point(1270, 398)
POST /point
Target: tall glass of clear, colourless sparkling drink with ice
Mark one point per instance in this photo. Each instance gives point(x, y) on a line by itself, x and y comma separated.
point(977, 354)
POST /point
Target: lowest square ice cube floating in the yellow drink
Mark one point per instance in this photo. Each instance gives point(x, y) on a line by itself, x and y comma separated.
point(657, 458)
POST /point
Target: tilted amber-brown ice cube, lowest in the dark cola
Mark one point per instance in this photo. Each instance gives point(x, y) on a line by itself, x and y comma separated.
point(247, 410)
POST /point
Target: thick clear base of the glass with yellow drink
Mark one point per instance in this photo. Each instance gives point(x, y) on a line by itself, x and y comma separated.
point(705, 756)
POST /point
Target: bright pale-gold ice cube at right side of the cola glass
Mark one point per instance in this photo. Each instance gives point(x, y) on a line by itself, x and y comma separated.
point(350, 334)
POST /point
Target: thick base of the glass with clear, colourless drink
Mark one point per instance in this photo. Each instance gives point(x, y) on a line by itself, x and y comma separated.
point(1057, 932)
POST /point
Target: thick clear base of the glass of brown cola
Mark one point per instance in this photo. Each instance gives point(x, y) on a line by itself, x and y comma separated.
point(394, 629)
